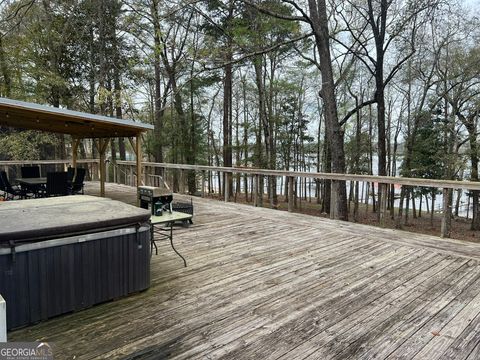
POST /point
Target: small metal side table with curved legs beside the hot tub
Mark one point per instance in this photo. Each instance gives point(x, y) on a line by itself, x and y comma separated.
point(163, 226)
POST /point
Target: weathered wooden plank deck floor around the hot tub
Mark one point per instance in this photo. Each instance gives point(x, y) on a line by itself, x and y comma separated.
point(265, 284)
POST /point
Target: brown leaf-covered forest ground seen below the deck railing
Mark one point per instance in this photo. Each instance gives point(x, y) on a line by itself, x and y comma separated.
point(420, 224)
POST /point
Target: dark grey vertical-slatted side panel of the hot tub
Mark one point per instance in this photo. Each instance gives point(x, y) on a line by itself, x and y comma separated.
point(42, 283)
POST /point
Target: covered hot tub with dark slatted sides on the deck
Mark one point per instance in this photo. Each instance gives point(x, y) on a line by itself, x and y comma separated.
point(64, 254)
